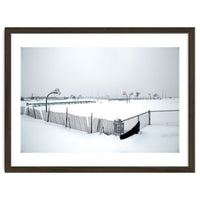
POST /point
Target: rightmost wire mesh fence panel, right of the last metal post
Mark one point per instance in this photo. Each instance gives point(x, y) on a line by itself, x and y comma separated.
point(170, 118)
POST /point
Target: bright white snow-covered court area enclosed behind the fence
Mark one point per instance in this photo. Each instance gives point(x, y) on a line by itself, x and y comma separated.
point(113, 109)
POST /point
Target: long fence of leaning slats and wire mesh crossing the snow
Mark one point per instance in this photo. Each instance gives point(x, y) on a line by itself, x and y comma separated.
point(93, 125)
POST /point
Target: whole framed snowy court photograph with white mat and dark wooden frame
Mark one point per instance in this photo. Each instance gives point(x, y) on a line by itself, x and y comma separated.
point(100, 99)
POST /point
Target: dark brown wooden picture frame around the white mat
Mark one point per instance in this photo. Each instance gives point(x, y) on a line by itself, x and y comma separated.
point(191, 99)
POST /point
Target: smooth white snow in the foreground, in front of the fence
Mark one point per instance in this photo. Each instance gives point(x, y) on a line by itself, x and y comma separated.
point(38, 136)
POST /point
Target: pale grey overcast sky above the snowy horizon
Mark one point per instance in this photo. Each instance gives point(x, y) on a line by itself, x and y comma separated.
point(99, 71)
